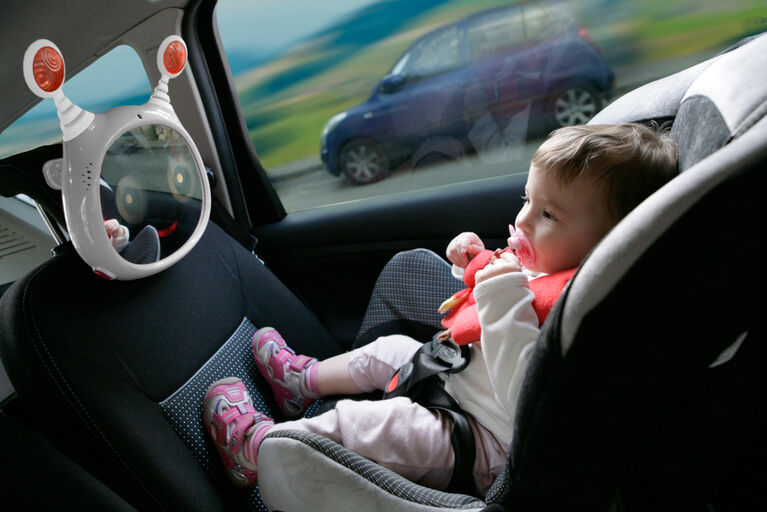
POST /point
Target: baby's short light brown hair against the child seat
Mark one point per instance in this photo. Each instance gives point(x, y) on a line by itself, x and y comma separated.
point(628, 161)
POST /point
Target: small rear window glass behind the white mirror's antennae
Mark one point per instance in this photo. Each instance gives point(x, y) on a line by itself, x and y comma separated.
point(117, 78)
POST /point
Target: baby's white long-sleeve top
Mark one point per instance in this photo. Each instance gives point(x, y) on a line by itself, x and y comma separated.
point(488, 388)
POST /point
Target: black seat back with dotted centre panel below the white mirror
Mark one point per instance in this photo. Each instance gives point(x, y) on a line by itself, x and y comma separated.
point(114, 372)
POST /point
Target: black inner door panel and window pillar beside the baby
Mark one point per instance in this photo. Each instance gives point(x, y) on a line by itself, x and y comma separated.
point(330, 256)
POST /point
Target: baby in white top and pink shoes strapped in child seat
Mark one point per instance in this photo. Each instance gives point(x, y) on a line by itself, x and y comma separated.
point(582, 181)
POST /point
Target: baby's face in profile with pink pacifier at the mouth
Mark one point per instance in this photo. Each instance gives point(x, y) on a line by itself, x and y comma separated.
point(562, 222)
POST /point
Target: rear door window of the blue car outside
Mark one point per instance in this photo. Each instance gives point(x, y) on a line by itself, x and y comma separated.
point(495, 31)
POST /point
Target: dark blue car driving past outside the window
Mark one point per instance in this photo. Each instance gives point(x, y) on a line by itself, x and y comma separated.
point(476, 86)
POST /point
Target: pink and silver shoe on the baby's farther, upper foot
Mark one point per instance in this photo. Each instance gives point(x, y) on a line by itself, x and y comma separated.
point(285, 371)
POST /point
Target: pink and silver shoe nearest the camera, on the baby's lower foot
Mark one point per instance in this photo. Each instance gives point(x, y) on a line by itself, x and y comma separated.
point(236, 428)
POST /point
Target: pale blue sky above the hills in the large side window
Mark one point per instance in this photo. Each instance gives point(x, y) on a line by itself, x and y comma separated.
point(271, 24)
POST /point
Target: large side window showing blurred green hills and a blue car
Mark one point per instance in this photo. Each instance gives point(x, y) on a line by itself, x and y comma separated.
point(333, 120)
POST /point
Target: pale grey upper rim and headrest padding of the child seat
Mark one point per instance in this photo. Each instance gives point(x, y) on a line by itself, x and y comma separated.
point(723, 99)
